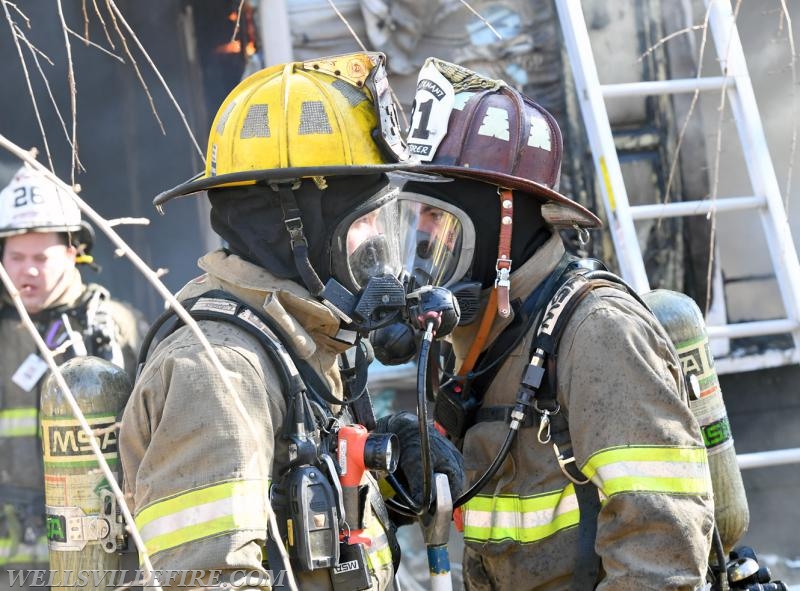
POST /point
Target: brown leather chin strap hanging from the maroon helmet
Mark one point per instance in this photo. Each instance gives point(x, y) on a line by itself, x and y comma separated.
point(499, 298)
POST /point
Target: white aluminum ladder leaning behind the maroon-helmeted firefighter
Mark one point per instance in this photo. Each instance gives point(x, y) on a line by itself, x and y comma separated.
point(765, 200)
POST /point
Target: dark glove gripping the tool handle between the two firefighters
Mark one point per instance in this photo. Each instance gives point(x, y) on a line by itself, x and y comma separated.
point(445, 458)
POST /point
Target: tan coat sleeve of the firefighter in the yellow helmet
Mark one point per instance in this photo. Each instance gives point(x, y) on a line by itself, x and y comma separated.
point(196, 471)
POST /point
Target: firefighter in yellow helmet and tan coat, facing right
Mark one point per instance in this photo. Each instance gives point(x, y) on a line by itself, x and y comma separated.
point(296, 177)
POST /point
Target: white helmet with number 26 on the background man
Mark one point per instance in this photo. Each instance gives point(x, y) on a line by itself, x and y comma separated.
point(32, 203)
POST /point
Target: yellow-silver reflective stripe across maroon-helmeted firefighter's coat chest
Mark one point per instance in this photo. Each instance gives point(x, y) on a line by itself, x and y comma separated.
point(523, 519)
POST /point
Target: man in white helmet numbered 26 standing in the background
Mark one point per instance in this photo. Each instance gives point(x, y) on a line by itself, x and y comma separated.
point(43, 240)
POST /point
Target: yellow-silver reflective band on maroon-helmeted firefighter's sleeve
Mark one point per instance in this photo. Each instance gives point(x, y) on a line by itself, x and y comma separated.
point(675, 470)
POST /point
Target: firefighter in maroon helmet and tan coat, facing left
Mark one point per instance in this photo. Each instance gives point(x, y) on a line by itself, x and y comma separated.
point(616, 380)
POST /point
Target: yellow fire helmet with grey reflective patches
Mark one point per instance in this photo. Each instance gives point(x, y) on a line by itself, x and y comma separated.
point(325, 117)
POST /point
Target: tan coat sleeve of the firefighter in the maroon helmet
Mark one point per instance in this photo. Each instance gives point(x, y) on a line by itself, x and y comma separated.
point(635, 437)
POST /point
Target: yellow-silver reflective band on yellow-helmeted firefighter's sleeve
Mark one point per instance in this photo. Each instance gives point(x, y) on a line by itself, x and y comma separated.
point(202, 513)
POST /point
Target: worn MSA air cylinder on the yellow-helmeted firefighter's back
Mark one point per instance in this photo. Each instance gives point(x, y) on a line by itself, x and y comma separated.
point(84, 527)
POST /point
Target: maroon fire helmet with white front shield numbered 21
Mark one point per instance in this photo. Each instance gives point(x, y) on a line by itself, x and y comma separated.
point(466, 125)
